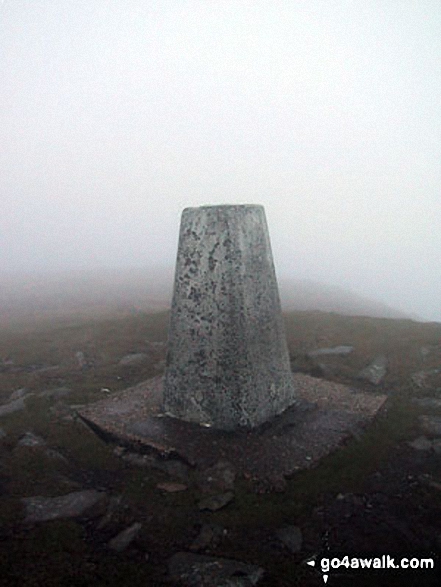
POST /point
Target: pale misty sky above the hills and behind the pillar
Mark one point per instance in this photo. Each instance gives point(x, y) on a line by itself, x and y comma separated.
point(117, 114)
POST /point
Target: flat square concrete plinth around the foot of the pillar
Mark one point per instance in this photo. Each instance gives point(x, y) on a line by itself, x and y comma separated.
point(325, 414)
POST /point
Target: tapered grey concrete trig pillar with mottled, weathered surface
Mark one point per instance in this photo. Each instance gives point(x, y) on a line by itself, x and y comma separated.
point(227, 361)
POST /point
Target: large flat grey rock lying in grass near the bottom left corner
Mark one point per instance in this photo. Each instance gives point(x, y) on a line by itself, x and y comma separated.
point(71, 505)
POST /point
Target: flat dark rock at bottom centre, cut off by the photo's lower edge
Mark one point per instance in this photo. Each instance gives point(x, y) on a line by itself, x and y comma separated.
point(197, 570)
